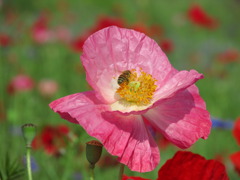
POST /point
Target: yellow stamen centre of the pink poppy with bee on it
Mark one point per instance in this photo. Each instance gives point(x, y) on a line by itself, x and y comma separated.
point(136, 88)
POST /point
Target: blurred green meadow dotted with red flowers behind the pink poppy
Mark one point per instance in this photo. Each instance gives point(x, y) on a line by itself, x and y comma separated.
point(40, 47)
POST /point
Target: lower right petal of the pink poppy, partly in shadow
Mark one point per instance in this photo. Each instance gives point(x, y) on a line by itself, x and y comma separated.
point(182, 119)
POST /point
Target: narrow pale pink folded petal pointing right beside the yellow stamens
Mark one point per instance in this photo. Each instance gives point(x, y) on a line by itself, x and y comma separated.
point(176, 82)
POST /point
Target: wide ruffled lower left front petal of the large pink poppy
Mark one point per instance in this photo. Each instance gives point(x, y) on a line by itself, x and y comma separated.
point(123, 136)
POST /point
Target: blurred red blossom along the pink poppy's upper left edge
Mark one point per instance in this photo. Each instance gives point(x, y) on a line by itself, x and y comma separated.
point(102, 22)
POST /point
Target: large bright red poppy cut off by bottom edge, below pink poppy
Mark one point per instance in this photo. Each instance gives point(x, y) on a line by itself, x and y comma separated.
point(187, 165)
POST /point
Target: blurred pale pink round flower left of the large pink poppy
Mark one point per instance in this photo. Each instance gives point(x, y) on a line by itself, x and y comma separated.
point(47, 87)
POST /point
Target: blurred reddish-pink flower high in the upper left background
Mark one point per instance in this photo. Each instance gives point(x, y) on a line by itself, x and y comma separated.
point(40, 30)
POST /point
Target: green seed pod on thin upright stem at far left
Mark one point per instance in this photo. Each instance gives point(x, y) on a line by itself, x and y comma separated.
point(29, 132)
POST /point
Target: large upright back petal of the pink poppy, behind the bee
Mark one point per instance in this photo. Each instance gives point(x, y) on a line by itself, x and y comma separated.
point(112, 50)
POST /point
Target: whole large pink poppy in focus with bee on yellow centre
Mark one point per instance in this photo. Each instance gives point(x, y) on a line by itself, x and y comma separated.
point(134, 83)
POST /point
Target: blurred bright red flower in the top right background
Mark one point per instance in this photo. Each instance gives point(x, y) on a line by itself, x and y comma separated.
point(197, 15)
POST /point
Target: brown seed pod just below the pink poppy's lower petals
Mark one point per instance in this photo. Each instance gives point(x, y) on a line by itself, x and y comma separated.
point(93, 152)
